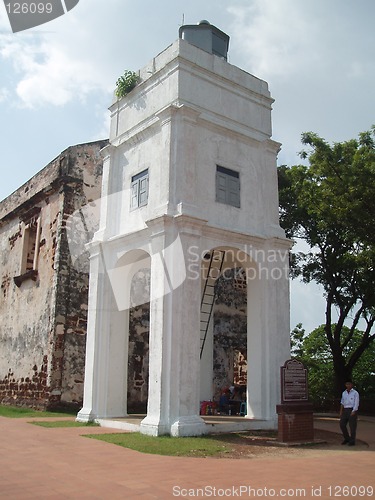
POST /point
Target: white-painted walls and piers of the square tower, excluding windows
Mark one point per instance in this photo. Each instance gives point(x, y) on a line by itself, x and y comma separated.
point(191, 112)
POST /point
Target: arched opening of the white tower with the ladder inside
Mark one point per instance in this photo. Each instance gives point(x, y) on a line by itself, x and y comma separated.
point(224, 355)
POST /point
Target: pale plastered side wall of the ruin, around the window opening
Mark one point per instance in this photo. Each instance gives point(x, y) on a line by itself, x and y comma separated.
point(26, 311)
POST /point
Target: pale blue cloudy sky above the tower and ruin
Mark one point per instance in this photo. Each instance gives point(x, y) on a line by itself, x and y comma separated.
point(57, 80)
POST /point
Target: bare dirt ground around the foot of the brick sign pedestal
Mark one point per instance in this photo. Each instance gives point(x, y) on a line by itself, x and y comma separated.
point(259, 444)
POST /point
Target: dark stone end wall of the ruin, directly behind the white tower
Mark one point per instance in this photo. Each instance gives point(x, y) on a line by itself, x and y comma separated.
point(81, 168)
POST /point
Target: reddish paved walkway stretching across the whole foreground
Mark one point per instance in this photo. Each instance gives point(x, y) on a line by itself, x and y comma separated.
point(58, 463)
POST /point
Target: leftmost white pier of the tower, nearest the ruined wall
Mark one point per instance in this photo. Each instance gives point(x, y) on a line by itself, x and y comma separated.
point(105, 386)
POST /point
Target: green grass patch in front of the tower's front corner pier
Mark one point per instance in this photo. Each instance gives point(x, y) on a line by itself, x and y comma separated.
point(166, 445)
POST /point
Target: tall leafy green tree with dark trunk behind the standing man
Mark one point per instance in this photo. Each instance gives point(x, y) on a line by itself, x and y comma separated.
point(330, 205)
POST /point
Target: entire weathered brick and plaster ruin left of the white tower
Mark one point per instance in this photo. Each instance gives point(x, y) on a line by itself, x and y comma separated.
point(43, 321)
